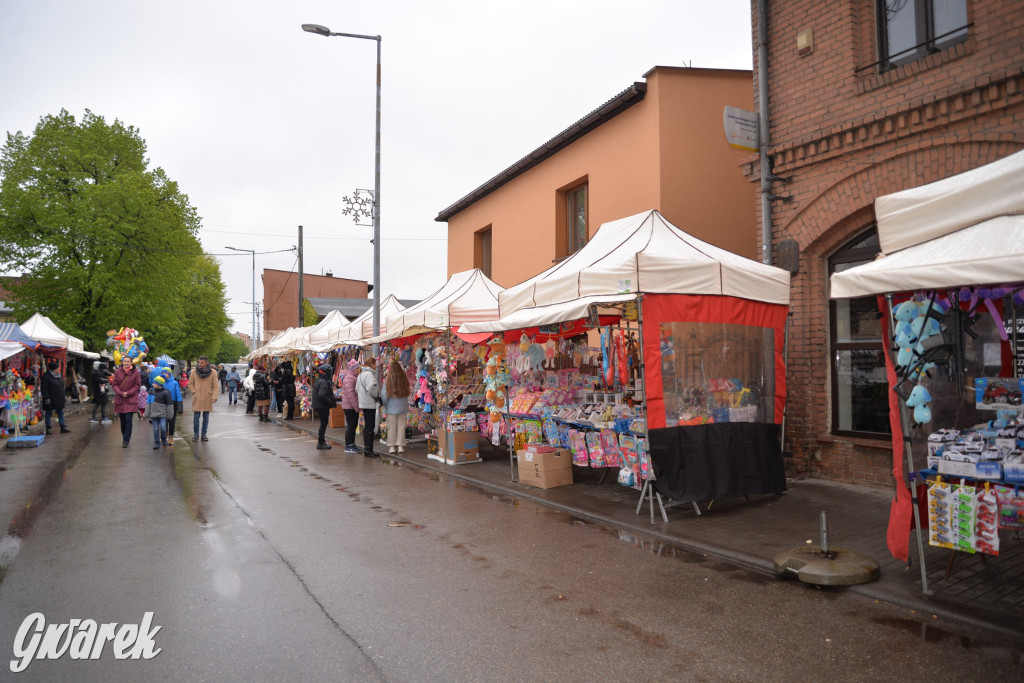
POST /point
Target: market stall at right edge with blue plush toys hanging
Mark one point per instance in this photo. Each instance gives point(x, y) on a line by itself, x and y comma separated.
point(950, 283)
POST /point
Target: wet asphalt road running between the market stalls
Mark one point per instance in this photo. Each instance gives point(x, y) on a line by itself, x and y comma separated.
point(266, 560)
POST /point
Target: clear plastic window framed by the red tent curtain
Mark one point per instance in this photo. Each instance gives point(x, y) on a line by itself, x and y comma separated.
point(717, 373)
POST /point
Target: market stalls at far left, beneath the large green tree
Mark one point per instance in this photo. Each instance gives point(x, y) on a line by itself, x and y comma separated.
point(24, 350)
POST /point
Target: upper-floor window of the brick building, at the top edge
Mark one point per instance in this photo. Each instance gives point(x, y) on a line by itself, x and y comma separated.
point(910, 30)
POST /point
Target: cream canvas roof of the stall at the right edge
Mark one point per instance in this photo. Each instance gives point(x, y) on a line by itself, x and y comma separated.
point(929, 241)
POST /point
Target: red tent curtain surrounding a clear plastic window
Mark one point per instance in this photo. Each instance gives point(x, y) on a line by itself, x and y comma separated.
point(660, 309)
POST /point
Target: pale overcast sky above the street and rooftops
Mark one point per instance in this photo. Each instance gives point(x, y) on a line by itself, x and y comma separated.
point(267, 127)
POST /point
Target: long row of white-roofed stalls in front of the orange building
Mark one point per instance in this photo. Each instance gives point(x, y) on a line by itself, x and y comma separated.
point(648, 353)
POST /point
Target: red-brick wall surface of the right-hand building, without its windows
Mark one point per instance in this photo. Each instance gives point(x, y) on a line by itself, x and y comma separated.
point(847, 134)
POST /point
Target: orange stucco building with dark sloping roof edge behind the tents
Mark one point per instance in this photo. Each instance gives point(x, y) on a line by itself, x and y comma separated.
point(658, 145)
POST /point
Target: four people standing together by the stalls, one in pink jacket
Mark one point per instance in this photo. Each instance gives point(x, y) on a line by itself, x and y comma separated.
point(361, 394)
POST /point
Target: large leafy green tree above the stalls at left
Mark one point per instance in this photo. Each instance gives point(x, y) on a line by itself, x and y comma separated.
point(103, 240)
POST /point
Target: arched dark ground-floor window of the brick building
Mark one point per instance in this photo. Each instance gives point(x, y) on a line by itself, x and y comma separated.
point(861, 391)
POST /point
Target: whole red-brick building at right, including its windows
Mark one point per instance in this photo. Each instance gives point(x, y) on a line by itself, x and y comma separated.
point(868, 99)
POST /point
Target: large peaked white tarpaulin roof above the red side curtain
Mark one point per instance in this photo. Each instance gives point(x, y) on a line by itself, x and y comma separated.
point(639, 254)
